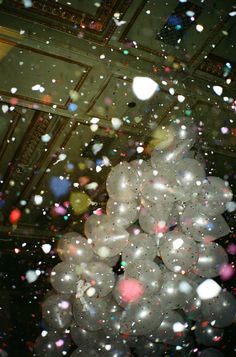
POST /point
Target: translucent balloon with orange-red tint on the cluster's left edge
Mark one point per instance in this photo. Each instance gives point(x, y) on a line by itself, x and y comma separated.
point(74, 248)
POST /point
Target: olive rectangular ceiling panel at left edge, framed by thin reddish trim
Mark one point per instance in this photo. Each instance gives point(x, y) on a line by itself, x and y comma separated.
point(24, 68)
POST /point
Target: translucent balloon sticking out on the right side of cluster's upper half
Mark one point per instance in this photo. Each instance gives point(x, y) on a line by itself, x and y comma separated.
point(213, 196)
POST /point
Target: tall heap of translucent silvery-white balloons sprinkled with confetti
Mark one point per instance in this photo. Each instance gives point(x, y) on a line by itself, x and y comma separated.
point(162, 219)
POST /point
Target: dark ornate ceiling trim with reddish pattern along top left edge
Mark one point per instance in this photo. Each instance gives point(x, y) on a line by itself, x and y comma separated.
point(72, 21)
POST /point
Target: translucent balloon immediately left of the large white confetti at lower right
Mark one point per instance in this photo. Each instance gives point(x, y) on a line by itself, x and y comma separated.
point(176, 291)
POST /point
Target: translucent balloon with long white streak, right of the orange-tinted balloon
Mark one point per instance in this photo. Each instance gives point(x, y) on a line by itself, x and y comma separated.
point(108, 239)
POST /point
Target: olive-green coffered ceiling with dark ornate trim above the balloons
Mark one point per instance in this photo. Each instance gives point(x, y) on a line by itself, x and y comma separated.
point(65, 62)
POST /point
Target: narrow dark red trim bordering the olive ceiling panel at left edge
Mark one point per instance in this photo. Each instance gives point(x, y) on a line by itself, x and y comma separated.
point(67, 60)
